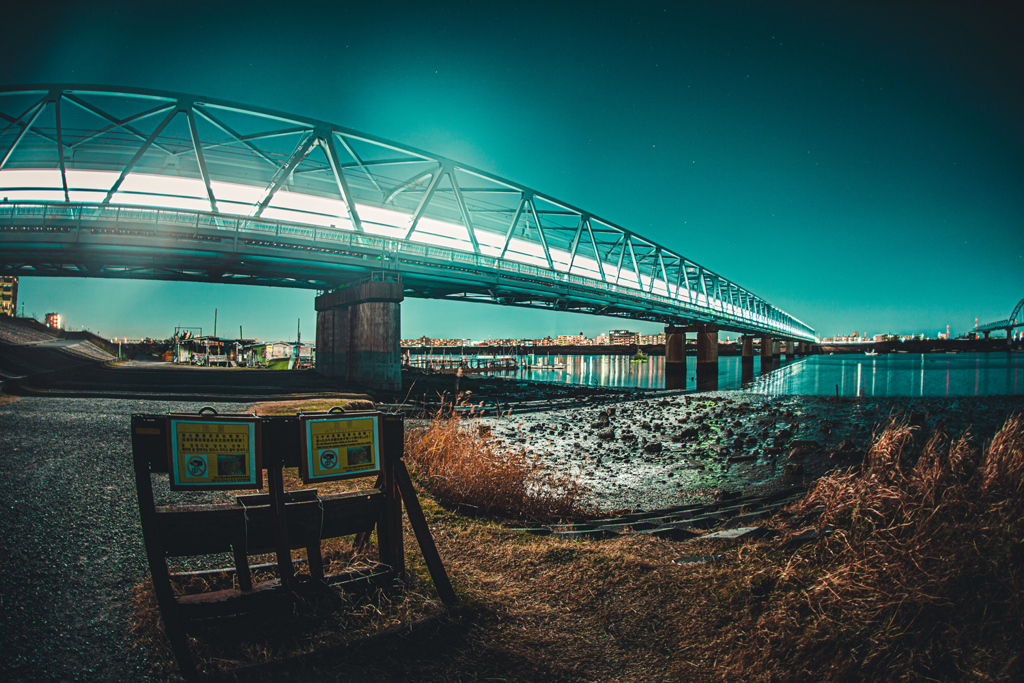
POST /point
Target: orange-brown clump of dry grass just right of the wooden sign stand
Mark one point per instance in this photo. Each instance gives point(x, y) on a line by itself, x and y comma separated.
point(464, 471)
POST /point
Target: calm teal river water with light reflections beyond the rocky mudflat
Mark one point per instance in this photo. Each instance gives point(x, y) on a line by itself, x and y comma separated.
point(846, 375)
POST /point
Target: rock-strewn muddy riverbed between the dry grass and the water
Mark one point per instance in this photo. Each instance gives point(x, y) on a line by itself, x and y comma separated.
point(658, 453)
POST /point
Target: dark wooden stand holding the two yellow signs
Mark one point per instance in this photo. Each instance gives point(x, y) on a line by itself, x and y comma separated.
point(277, 522)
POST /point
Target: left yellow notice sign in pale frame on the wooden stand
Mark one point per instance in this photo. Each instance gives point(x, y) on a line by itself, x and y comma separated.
point(208, 453)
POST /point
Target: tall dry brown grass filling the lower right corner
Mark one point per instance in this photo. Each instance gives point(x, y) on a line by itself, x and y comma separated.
point(921, 581)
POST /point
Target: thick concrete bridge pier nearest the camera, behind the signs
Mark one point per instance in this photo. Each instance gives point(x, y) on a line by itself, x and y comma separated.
point(359, 331)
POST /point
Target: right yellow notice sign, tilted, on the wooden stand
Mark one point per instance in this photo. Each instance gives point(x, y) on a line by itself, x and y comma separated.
point(339, 446)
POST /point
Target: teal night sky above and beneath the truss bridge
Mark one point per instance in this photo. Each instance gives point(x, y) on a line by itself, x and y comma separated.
point(860, 165)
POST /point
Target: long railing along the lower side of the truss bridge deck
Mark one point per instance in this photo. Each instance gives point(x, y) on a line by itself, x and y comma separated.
point(692, 305)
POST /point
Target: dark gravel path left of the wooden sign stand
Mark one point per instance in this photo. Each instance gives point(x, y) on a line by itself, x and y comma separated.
point(71, 547)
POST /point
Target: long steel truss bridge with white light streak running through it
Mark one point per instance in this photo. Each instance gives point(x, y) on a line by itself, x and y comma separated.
point(123, 183)
